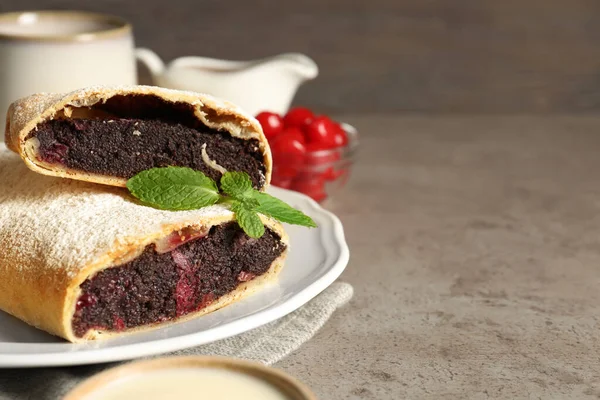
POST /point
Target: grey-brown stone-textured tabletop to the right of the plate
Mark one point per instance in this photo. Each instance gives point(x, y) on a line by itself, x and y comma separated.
point(475, 258)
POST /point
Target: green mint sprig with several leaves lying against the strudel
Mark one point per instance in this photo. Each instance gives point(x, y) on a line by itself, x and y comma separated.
point(180, 188)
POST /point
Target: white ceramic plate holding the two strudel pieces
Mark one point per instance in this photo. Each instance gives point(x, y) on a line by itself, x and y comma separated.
point(317, 257)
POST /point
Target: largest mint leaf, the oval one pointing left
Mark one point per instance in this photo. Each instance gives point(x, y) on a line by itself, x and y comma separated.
point(174, 188)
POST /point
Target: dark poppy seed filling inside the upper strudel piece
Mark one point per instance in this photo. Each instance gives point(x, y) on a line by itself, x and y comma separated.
point(143, 132)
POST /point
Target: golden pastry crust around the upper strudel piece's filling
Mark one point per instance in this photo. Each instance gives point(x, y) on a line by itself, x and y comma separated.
point(24, 115)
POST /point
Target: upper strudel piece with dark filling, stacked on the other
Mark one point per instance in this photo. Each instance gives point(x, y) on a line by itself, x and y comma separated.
point(108, 134)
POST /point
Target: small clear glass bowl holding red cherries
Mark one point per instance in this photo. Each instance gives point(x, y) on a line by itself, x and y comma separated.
point(318, 174)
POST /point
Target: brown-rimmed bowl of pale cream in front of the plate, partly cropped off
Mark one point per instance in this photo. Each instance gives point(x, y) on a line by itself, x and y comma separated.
point(187, 378)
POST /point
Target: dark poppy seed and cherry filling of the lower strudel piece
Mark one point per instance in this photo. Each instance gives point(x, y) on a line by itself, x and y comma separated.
point(157, 286)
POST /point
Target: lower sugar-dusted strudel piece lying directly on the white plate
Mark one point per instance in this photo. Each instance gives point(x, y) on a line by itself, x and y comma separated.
point(85, 261)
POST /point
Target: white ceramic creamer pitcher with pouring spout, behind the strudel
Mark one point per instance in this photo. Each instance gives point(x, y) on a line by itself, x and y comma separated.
point(268, 84)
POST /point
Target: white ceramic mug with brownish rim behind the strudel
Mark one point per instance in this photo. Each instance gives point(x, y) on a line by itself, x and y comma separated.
point(60, 51)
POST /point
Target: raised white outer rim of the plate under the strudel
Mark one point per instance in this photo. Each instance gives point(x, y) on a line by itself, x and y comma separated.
point(169, 344)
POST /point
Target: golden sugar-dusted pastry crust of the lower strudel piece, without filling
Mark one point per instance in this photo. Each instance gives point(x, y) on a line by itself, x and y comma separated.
point(55, 233)
